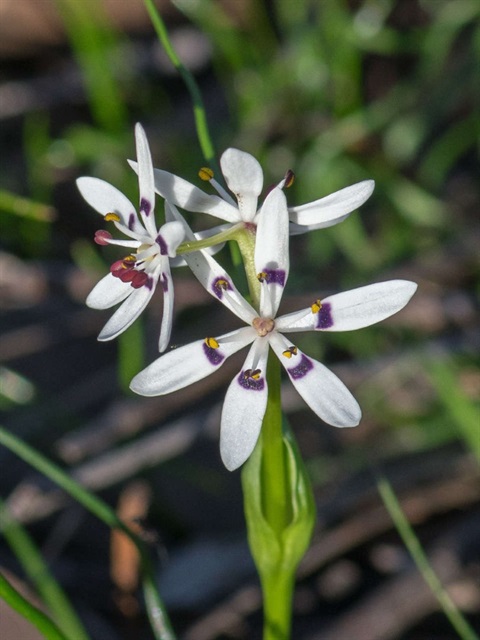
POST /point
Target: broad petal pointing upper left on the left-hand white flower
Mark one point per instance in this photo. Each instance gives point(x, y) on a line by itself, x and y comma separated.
point(105, 198)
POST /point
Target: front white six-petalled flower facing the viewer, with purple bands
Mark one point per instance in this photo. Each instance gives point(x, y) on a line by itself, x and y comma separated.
point(246, 398)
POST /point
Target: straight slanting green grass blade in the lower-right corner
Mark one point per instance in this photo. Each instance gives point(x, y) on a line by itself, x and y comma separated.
point(406, 532)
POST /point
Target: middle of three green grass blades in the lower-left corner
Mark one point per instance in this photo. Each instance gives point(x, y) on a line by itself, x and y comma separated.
point(38, 573)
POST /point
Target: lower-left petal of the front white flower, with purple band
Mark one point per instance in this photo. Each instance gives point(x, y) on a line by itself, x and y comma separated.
point(185, 365)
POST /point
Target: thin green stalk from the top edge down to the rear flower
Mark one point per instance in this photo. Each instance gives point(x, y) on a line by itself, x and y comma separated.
point(198, 106)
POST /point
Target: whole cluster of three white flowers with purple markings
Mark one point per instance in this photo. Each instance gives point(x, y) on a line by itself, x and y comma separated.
point(133, 279)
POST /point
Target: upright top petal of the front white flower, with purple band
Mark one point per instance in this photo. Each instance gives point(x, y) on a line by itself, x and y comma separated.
point(271, 250)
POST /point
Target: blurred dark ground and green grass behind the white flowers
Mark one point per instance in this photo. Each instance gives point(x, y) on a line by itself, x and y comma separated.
point(338, 91)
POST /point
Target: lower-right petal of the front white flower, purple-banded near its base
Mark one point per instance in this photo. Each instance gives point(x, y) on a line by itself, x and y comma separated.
point(324, 393)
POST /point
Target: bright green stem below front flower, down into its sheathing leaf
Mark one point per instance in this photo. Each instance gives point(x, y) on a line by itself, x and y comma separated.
point(276, 505)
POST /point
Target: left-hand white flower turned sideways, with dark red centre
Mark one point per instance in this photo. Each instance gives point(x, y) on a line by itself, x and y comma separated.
point(132, 280)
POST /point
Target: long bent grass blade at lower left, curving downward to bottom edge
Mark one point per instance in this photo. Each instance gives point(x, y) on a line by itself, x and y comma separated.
point(155, 608)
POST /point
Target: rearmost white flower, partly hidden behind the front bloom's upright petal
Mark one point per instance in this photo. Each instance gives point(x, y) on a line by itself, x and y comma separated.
point(244, 178)
